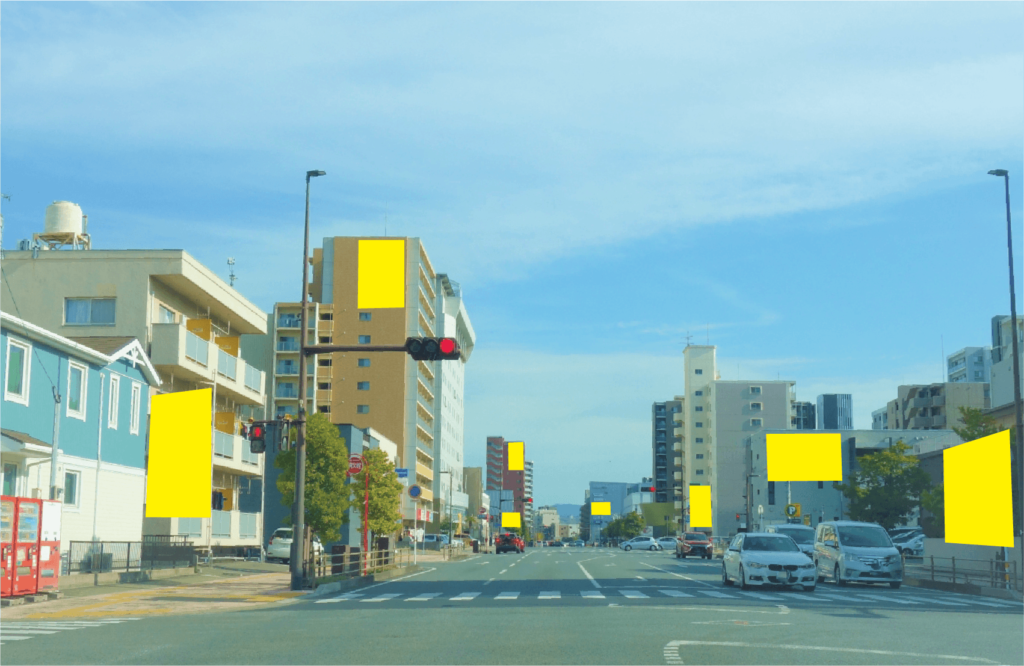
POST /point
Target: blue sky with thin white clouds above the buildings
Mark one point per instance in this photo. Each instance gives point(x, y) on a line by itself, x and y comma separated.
point(803, 185)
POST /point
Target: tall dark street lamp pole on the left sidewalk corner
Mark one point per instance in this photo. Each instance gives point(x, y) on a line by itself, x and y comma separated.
point(300, 506)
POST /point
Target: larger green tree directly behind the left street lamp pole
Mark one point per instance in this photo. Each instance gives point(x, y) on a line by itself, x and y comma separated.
point(327, 465)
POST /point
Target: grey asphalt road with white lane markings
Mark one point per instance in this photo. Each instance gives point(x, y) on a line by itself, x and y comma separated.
point(557, 607)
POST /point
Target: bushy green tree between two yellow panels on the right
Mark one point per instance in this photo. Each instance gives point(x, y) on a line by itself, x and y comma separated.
point(887, 488)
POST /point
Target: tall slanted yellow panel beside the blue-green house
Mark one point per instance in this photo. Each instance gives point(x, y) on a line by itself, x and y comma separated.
point(180, 480)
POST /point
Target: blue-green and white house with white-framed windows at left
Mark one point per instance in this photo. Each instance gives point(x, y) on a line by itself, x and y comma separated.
point(104, 386)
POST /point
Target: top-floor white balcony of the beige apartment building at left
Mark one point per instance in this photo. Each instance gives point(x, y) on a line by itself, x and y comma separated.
point(186, 356)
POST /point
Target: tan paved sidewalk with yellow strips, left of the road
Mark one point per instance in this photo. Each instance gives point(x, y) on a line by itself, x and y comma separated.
point(231, 587)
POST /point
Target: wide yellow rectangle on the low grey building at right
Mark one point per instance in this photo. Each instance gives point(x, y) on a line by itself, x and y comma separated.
point(805, 456)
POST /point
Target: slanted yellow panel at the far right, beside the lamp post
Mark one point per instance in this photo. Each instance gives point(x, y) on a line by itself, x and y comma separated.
point(978, 492)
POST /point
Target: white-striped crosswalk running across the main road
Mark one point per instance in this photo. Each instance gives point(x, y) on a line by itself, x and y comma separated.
point(693, 594)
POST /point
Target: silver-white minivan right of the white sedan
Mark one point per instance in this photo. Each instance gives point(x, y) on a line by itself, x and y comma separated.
point(847, 551)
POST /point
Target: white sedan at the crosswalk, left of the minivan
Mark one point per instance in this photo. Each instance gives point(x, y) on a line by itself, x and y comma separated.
point(762, 559)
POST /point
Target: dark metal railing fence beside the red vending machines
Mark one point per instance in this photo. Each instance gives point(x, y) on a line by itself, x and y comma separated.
point(159, 552)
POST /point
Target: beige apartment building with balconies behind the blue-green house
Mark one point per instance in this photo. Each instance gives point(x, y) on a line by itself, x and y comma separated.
point(191, 323)
